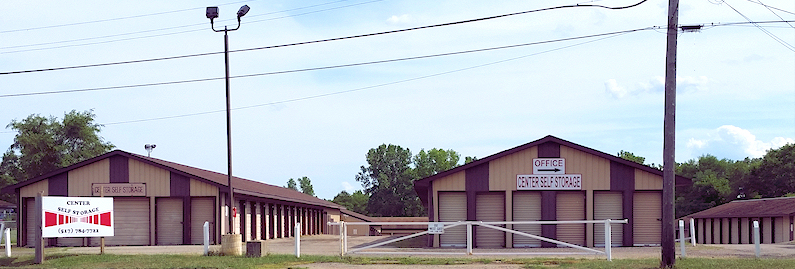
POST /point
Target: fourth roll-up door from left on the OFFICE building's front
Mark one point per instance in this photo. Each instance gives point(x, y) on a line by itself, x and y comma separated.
point(571, 206)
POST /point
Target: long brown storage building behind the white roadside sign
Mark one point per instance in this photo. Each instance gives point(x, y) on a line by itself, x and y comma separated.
point(157, 202)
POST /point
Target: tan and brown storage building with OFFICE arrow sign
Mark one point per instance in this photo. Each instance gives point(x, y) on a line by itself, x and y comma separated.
point(519, 185)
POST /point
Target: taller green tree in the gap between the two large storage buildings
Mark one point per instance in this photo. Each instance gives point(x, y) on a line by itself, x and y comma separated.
point(388, 181)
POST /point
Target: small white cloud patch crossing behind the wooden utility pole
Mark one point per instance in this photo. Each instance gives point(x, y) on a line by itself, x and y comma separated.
point(684, 84)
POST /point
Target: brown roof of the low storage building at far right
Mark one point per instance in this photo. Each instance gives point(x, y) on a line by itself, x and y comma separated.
point(769, 207)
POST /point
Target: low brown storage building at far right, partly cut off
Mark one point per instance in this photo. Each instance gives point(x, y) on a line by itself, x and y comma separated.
point(732, 223)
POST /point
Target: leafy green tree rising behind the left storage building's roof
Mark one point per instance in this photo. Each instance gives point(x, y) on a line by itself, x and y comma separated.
point(43, 144)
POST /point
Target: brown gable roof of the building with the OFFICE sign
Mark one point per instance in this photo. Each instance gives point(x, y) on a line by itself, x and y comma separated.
point(421, 185)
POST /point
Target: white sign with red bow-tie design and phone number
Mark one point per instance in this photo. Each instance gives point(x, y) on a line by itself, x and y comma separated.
point(76, 216)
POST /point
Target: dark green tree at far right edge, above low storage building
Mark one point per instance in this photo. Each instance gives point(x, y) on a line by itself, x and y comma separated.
point(774, 174)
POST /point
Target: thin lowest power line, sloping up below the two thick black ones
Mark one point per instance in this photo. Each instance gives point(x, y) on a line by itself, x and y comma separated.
point(609, 35)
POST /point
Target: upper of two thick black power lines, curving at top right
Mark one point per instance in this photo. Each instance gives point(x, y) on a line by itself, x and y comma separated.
point(322, 40)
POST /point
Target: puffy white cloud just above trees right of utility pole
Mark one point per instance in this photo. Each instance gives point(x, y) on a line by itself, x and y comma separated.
point(733, 142)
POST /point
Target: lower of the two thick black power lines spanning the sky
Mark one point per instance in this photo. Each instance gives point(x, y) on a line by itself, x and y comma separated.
point(326, 67)
